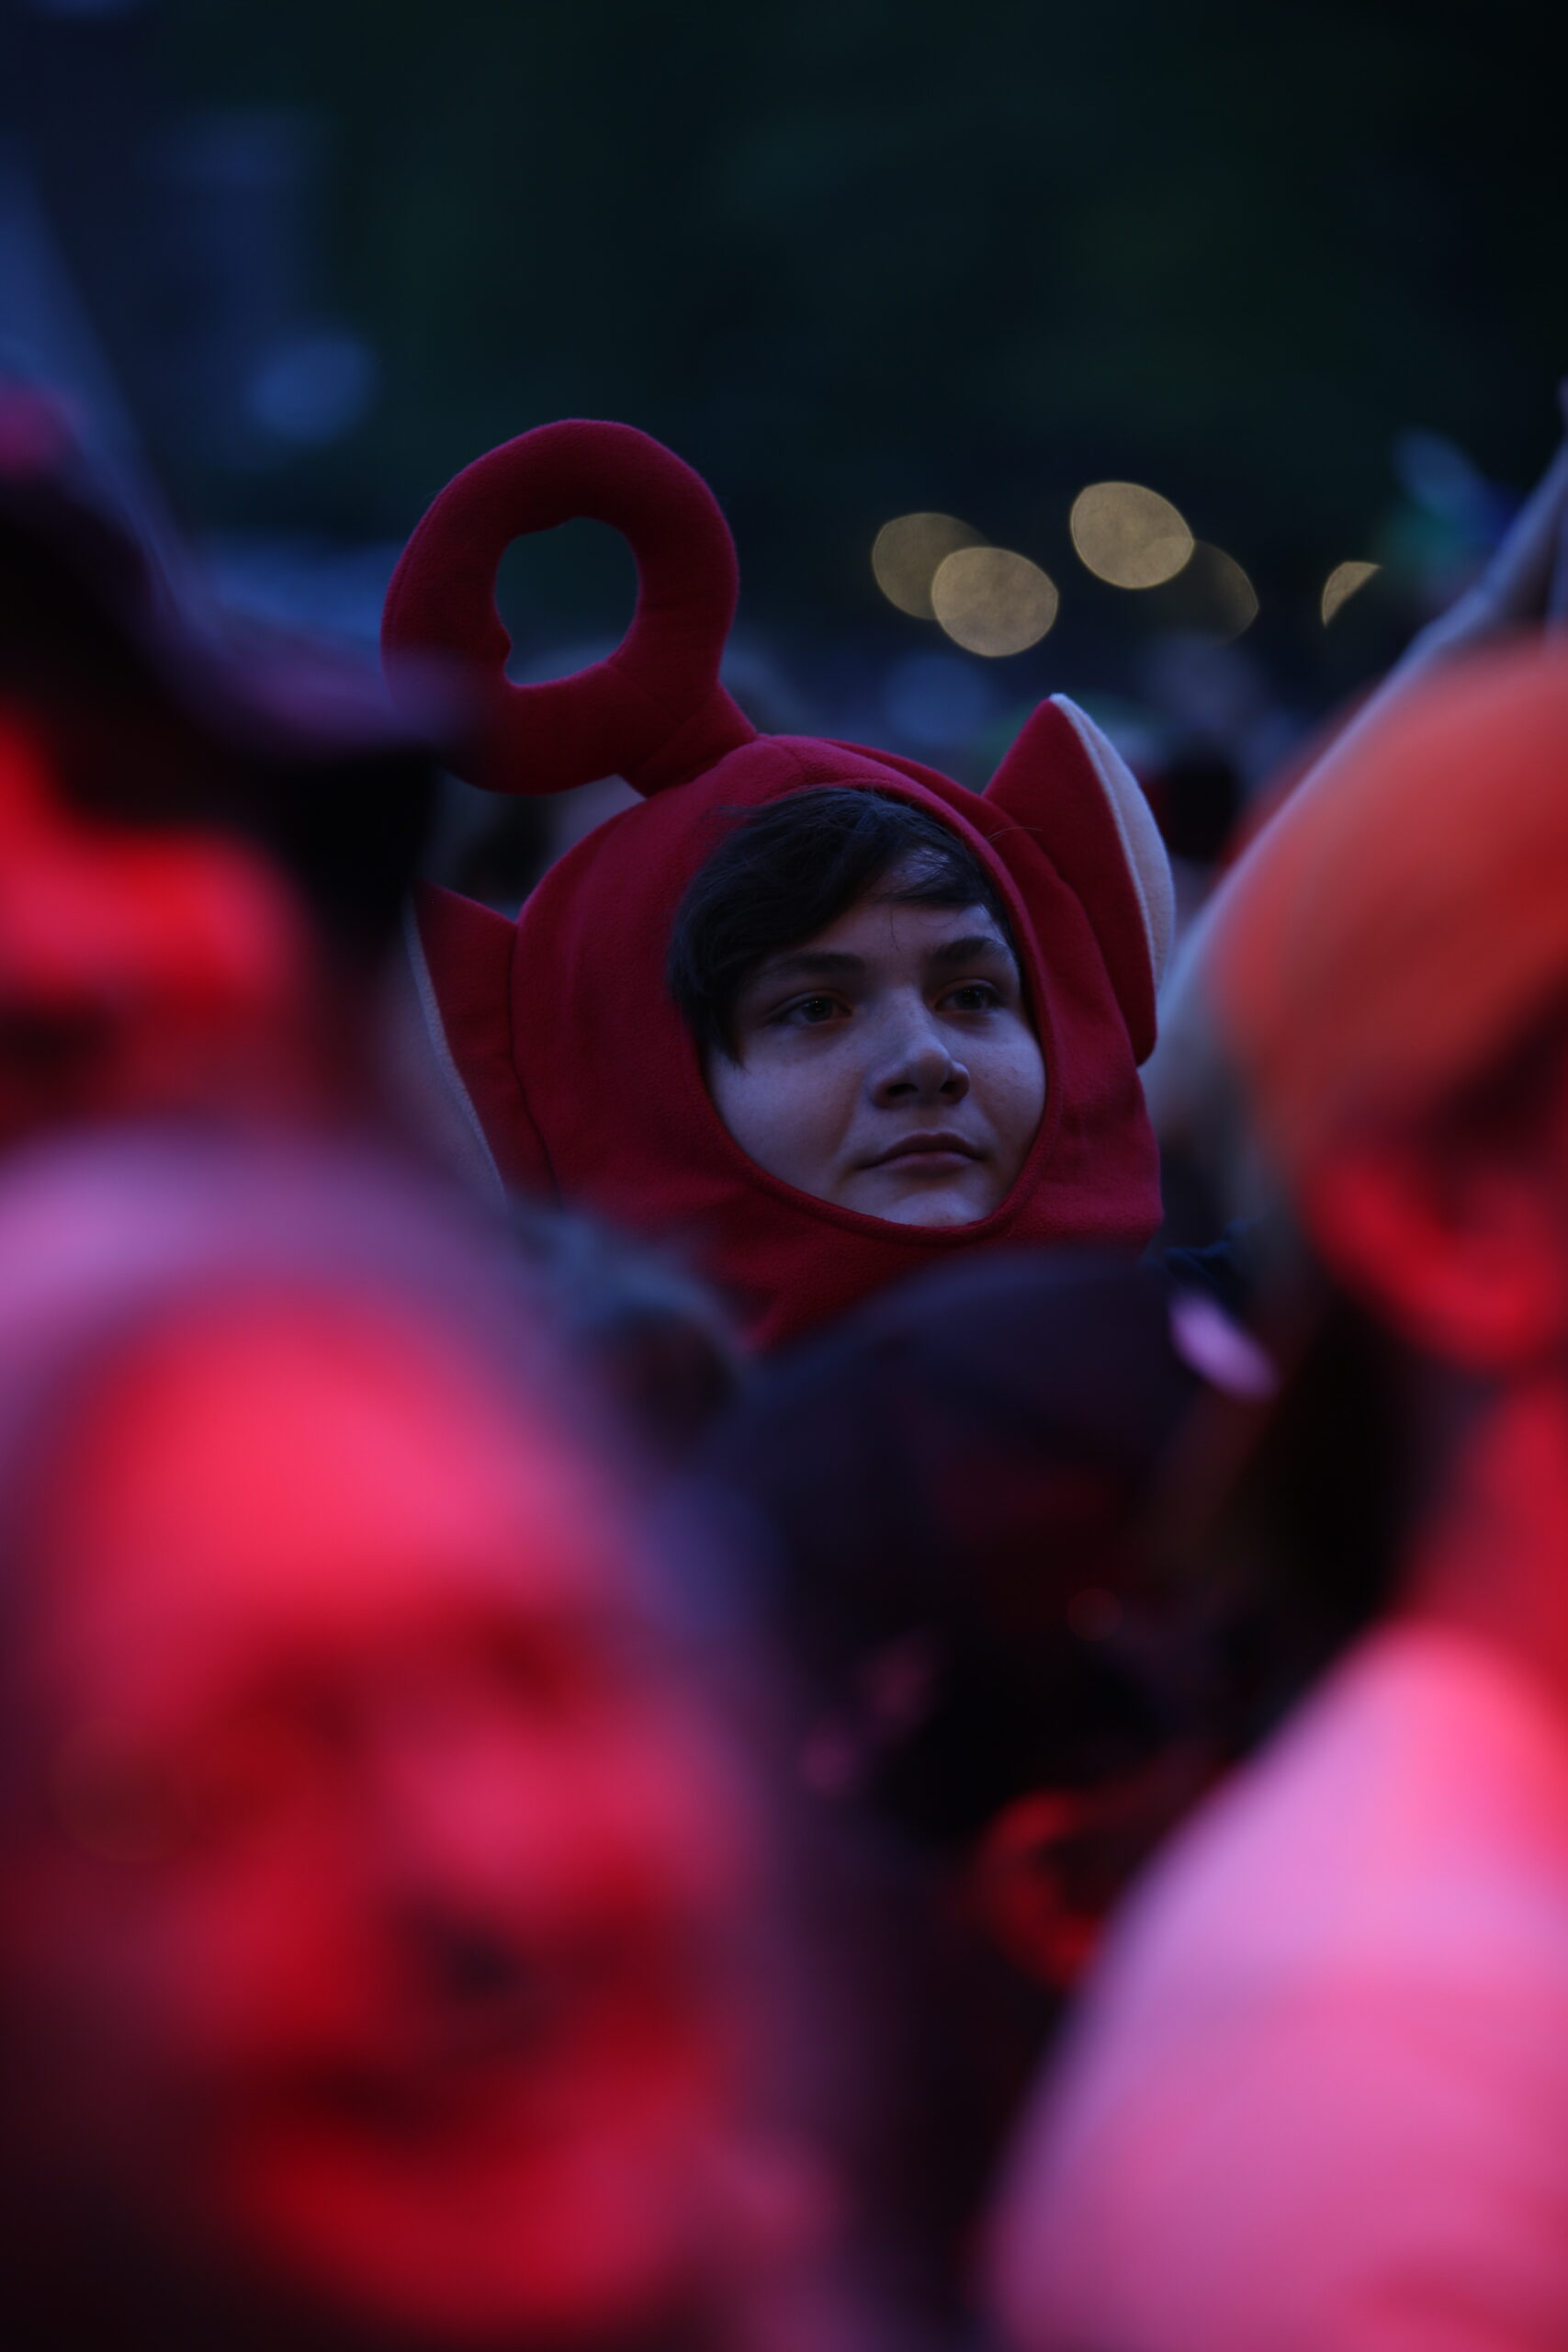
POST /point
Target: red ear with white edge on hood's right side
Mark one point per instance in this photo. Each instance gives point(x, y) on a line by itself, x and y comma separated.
point(1085, 808)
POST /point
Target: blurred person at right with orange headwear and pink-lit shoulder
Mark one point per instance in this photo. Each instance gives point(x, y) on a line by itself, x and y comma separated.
point(1320, 2092)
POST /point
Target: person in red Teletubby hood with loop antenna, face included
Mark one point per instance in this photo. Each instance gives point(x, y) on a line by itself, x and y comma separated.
point(970, 1076)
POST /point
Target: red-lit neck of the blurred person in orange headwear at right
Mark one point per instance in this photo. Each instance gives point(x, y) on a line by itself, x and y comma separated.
point(1492, 1551)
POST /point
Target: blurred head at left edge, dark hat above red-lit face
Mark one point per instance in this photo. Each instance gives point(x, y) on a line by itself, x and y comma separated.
point(203, 850)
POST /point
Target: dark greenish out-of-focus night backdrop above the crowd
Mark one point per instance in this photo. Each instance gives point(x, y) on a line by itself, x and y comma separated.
point(871, 255)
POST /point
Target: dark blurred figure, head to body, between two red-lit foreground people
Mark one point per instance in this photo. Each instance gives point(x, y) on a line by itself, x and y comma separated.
point(958, 1488)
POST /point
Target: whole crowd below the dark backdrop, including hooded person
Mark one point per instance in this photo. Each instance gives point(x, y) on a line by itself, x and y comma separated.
point(678, 1678)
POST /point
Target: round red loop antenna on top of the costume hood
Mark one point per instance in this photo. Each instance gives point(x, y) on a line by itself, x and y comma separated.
point(655, 711)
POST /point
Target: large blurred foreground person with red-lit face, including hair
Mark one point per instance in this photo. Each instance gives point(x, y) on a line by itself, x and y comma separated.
point(384, 1944)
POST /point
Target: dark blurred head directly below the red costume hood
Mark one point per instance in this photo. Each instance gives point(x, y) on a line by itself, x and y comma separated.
point(958, 1488)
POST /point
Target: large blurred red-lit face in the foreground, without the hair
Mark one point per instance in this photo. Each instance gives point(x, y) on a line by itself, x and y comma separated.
point(375, 1927)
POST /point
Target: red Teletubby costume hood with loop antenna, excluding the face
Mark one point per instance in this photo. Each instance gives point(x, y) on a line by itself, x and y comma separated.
point(561, 1027)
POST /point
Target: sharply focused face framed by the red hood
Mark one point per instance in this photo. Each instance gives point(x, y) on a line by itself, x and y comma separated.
point(887, 1064)
